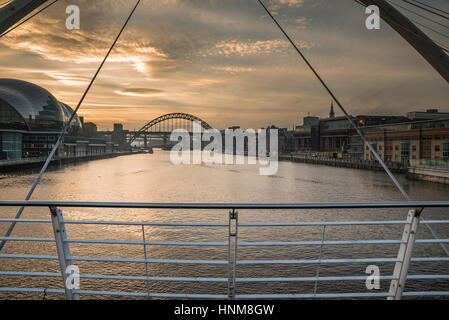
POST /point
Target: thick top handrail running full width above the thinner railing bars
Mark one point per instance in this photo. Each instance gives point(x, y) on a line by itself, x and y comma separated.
point(149, 205)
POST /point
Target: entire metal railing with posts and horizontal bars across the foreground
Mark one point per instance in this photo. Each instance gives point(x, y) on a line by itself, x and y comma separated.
point(233, 230)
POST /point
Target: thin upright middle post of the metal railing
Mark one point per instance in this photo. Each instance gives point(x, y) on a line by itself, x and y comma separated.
point(232, 252)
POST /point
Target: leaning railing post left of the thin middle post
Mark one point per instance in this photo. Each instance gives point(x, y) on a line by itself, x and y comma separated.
point(62, 248)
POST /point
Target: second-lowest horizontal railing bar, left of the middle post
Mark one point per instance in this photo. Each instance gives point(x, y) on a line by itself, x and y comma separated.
point(111, 277)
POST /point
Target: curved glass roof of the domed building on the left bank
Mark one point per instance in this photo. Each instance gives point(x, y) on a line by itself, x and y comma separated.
point(26, 106)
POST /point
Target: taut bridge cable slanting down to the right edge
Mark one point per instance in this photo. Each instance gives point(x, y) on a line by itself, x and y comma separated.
point(351, 121)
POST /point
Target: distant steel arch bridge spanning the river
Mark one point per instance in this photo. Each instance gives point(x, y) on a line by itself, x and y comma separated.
point(165, 124)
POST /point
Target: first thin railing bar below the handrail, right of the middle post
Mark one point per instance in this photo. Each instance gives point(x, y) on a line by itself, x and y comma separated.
point(311, 224)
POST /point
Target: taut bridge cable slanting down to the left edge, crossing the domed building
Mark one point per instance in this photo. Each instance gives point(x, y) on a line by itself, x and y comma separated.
point(66, 126)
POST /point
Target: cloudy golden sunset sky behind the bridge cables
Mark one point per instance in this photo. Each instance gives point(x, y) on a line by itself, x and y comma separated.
point(224, 61)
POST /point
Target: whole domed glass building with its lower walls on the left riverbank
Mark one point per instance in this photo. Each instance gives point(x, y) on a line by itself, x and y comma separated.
point(31, 119)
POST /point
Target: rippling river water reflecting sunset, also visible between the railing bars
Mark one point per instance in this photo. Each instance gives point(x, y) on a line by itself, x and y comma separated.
point(153, 178)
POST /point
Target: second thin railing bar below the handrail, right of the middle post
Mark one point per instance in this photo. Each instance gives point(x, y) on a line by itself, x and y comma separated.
point(317, 243)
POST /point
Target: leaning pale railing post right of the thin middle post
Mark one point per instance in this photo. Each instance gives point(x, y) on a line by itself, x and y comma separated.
point(404, 255)
